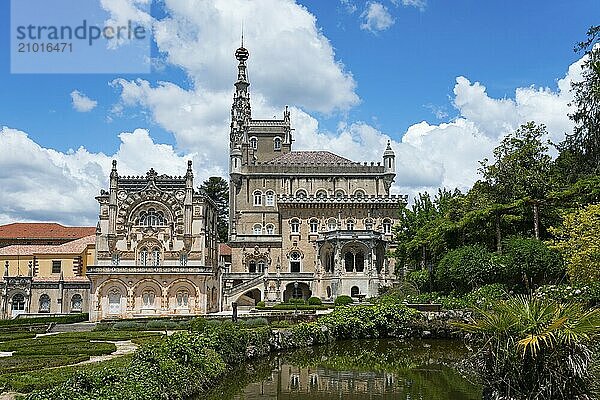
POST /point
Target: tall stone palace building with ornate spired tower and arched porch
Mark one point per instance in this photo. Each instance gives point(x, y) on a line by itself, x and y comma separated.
point(302, 223)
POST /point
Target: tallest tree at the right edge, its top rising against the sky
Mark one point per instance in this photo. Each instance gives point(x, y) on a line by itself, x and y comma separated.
point(583, 145)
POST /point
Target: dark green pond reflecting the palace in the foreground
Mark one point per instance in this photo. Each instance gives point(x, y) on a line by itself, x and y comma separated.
point(355, 370)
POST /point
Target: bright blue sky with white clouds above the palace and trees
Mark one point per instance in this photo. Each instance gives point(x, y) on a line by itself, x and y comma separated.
point(357, 73)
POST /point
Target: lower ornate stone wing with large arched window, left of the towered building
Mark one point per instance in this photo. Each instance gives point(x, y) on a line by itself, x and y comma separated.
point(156, 249)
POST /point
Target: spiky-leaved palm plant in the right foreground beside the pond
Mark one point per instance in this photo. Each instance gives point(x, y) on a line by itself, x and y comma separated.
point(534, 348)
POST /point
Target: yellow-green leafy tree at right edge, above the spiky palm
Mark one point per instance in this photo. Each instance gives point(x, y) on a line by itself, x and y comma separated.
point(578, 239)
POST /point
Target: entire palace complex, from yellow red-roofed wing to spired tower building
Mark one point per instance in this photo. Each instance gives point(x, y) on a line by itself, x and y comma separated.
point(301, 224)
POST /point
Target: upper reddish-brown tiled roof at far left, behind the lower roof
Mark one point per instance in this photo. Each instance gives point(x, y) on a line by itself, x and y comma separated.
point(44, 230)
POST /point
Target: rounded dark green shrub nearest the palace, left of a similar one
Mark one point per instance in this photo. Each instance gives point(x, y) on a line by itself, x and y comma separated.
point(465, 269)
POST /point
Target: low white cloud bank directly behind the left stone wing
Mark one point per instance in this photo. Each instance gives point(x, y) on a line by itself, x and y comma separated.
point(42, 184)
